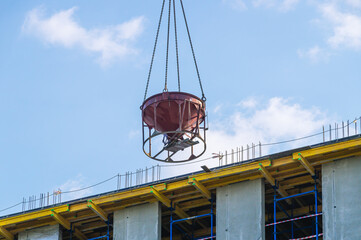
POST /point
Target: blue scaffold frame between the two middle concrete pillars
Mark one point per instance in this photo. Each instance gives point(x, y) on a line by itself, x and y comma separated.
point(173, 223)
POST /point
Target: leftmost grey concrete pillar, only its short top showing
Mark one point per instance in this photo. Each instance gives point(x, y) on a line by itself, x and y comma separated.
point(42, 233)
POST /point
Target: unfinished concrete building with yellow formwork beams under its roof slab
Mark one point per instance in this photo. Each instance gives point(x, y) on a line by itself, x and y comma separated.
point(312, 192)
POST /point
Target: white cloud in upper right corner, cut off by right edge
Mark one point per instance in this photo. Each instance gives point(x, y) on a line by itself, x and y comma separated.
point(346, 27)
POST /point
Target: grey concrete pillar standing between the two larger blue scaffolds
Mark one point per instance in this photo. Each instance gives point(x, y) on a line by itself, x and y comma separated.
point(241, 211)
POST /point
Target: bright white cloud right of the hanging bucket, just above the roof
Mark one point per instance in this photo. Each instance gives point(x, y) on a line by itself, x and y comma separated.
point(277, 119)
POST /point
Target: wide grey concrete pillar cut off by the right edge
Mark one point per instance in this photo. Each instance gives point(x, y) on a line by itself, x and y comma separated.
point(341, 199)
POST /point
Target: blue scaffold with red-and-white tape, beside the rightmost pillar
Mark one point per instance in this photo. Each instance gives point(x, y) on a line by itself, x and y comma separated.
point(290, 218)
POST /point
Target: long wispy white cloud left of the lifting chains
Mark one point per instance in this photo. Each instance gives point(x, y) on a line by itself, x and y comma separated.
point(112, 42)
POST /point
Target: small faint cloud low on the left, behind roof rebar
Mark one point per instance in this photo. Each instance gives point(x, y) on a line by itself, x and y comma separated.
point(74, 184)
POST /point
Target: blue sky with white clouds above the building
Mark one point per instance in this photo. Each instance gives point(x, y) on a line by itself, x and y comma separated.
point(73, 73)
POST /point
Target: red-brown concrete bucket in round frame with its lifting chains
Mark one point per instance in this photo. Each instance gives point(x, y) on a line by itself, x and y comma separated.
point(173, 122)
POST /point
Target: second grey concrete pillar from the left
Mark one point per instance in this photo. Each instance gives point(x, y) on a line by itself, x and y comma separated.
point(141, 222)
